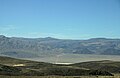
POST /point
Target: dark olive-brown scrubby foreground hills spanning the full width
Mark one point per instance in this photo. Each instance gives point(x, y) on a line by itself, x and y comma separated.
point(17, 67)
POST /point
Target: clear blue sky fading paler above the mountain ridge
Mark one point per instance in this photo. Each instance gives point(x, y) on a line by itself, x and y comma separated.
point(64, 19)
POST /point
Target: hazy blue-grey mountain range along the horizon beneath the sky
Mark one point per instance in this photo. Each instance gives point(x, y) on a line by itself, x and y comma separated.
point(34, 47)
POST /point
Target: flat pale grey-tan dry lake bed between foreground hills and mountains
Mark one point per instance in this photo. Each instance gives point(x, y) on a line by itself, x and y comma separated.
point(74, 58)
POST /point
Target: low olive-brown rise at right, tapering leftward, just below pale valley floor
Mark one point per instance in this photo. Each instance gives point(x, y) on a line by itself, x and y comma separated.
point(105, 65)
